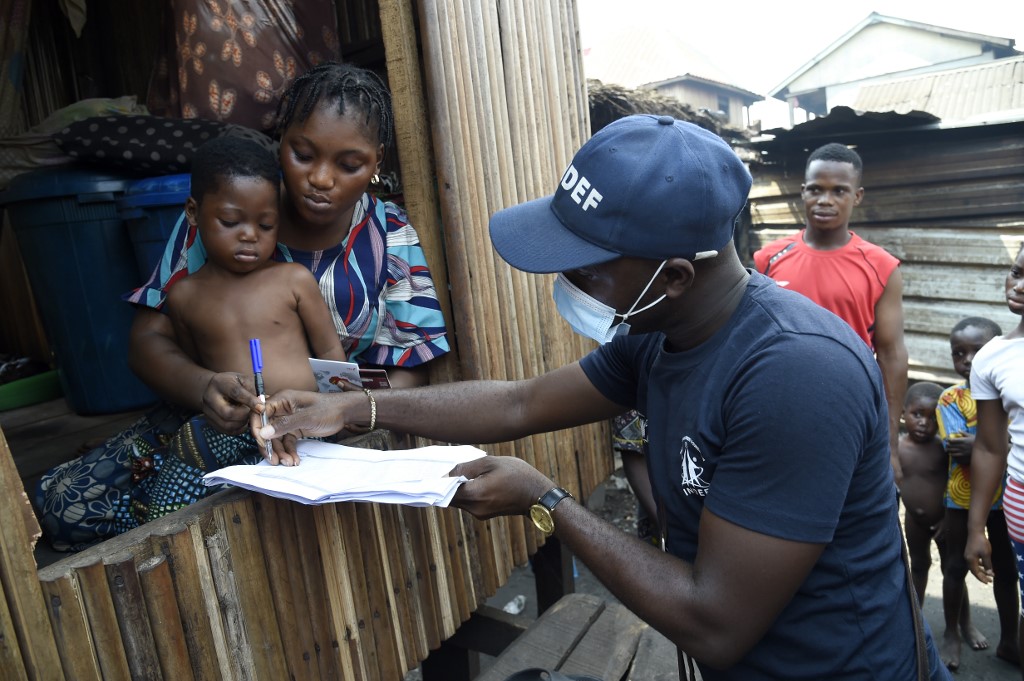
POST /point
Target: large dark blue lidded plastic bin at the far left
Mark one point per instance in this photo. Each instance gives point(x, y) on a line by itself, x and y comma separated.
point(80, 263)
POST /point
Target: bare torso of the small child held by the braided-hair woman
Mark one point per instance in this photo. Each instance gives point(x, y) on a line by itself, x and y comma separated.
point(223, 314)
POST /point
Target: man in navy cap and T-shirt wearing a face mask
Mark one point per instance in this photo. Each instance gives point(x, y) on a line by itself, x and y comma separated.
point(769, 428)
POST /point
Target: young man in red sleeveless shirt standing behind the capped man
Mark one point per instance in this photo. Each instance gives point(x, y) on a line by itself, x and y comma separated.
point(838, 270)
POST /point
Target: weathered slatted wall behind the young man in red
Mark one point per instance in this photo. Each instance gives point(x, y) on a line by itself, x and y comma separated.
point(950, 204)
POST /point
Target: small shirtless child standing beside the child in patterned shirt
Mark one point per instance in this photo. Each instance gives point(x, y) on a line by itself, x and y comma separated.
point(924, 465)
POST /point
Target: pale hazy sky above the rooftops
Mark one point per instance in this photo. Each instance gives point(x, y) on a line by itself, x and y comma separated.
point(760, 45)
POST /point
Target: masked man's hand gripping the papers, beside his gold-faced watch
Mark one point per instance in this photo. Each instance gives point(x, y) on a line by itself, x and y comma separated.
point(499, 486)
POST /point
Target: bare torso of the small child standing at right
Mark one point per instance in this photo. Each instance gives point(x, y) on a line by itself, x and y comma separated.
point(925, 471)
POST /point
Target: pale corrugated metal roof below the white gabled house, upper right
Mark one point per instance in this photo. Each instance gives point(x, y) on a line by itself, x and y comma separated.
point(957, 95)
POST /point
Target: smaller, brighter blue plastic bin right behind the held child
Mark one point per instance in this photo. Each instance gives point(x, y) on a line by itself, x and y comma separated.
point(151, 209)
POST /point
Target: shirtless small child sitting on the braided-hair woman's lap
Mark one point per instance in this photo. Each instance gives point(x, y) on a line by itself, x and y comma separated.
point(241, 293)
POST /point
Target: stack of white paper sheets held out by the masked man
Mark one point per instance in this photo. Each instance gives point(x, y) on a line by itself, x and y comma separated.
point(330, 474)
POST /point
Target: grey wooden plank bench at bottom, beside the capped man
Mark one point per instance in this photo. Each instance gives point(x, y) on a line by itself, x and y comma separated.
point(584, 634)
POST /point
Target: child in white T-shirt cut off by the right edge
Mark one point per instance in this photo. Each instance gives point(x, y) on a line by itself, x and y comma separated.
point(998, 388)
